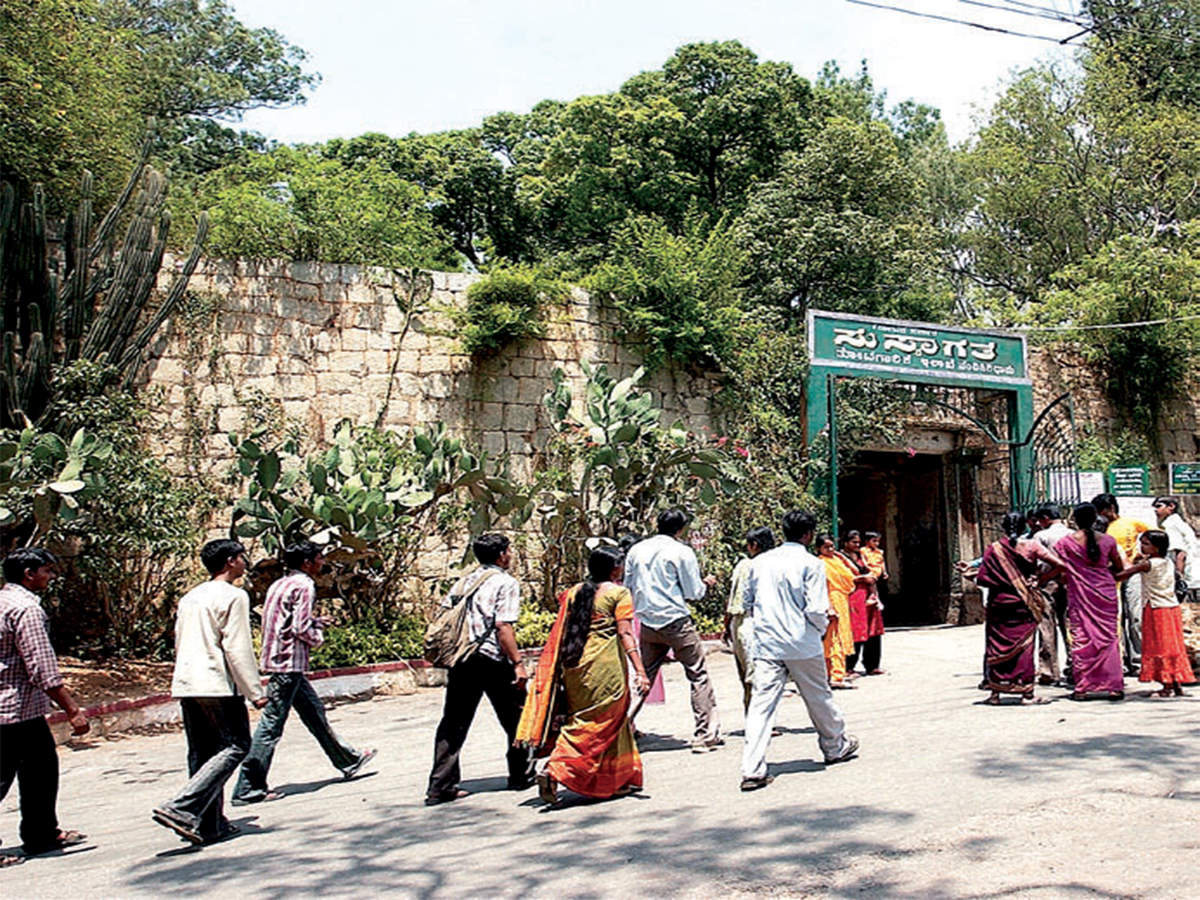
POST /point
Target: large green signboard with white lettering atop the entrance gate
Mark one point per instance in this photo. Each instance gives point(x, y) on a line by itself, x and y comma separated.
point(890, 347)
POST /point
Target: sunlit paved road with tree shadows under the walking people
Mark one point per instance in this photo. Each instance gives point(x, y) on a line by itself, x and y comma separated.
point(949, 800)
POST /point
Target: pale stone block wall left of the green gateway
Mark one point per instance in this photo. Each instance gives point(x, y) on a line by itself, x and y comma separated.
point(322, 341)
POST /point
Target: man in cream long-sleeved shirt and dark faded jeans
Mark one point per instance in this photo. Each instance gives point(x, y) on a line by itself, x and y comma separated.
point(214, 661)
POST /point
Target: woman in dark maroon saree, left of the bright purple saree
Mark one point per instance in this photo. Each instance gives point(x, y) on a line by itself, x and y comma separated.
point(1011, 569)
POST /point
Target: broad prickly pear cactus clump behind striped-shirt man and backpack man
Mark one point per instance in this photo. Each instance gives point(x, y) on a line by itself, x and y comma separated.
point(376, 495)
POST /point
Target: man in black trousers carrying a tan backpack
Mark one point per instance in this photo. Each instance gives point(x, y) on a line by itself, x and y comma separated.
point(478, 641)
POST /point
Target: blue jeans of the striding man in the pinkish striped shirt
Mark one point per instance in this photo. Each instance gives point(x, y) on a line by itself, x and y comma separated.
point(285, 692)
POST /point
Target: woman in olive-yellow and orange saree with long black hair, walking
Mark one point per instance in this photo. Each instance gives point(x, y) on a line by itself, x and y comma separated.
point(579, 704)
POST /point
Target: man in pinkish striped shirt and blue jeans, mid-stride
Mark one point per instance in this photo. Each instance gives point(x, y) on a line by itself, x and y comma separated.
point(290, 633)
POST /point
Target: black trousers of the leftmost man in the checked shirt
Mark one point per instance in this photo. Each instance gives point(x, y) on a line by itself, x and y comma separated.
point(29, 757)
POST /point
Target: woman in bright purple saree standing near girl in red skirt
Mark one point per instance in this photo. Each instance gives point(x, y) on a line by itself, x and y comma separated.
point(1093, 566)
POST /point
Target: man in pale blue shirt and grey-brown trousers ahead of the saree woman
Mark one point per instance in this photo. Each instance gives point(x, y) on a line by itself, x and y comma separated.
point(663, 575)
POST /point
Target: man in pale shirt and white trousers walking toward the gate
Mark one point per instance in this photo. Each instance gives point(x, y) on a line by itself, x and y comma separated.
point(789, 598)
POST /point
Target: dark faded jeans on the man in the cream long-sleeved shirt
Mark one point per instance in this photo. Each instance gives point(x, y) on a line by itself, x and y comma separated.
point(218, 739)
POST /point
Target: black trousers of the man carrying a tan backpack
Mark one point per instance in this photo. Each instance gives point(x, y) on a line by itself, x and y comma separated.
point(466, 686)
